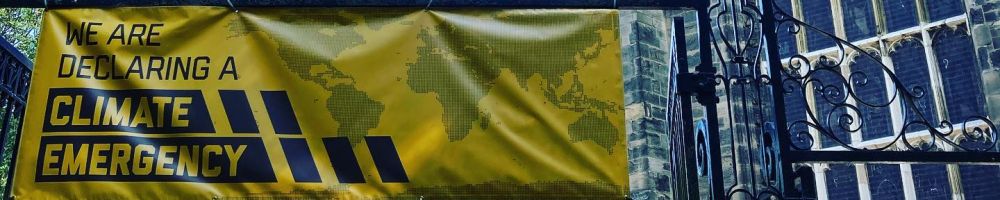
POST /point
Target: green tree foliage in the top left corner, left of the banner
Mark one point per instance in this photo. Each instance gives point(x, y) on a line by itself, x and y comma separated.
point(20, 27)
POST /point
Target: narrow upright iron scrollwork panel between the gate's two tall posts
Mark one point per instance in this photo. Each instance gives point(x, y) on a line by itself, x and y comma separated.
point(738, 41)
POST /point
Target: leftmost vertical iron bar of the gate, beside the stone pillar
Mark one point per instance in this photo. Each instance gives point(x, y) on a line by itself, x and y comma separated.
point(689, 176)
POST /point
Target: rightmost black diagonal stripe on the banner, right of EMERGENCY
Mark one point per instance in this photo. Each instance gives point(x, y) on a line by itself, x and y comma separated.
point(386, 159)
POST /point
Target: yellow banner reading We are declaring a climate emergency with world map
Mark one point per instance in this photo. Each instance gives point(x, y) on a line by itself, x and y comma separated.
point(205, 102)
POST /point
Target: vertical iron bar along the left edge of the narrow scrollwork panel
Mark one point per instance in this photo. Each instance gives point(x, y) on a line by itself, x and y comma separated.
point(709, 100)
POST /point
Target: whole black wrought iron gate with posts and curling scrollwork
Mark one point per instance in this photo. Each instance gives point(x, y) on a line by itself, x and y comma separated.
point(770, 113)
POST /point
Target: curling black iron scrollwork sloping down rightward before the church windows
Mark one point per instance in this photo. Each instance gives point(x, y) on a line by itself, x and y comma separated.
point(847, 114)
